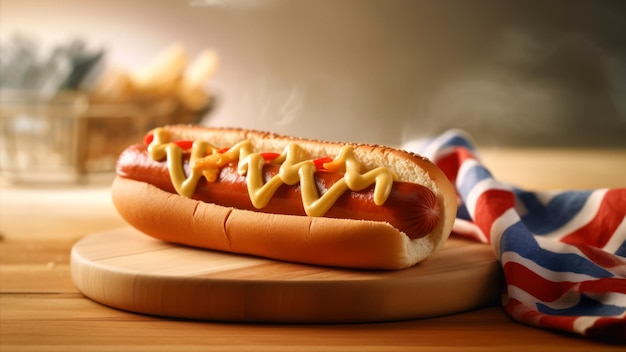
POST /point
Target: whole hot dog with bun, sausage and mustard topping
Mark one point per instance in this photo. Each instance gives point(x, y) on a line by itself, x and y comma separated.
point(292, 199)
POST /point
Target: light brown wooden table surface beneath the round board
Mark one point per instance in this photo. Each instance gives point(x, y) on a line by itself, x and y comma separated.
point(41, 310)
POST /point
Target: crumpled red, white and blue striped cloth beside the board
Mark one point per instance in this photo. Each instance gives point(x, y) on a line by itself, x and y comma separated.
point(562, 253)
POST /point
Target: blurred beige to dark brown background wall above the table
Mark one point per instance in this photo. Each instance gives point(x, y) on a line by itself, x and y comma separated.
point(511, 73)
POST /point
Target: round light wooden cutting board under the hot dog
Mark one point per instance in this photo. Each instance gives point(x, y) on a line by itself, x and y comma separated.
point(131, 271)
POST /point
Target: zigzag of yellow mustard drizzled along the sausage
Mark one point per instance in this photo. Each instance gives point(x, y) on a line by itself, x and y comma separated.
point(205, 160)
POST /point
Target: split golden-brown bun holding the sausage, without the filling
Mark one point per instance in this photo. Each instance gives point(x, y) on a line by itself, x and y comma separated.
point(312, 240)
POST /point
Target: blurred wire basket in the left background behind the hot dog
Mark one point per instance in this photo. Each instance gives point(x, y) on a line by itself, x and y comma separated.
point(65, 137)
